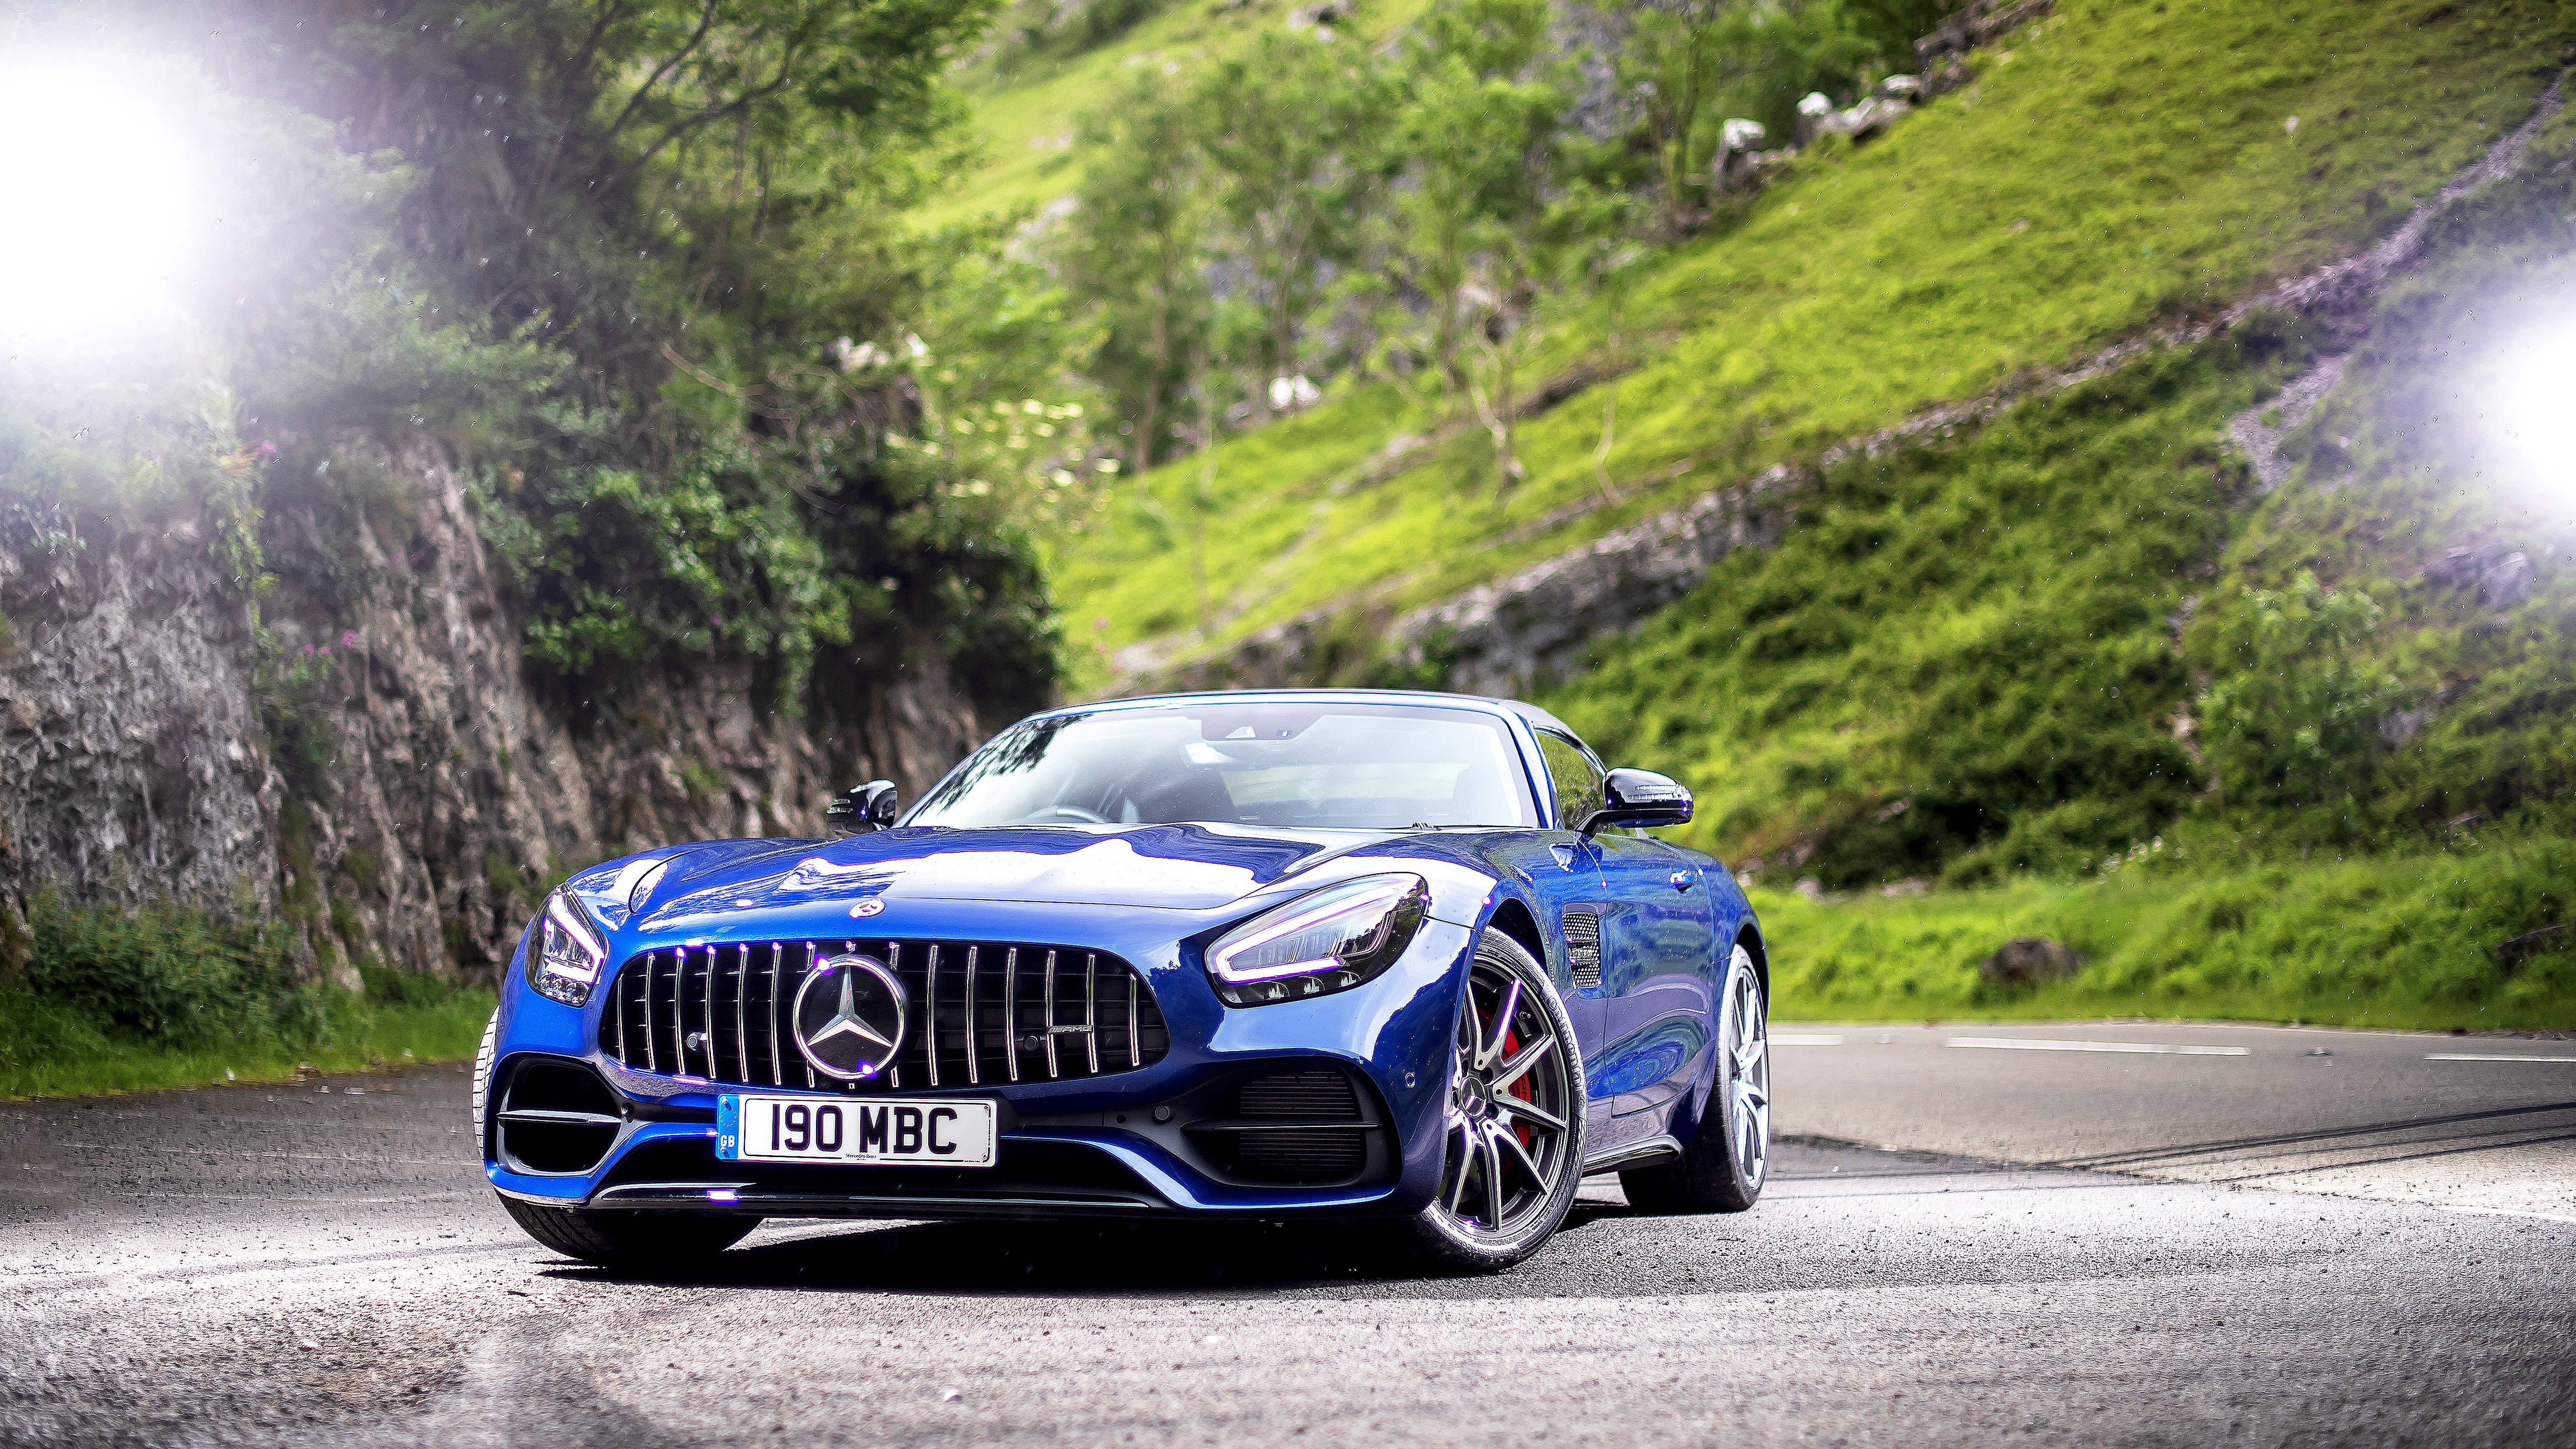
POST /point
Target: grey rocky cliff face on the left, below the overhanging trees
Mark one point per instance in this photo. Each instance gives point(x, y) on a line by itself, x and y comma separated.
point(426, 793)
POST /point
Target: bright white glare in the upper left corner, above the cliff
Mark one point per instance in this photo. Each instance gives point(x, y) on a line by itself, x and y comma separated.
point(97, 208)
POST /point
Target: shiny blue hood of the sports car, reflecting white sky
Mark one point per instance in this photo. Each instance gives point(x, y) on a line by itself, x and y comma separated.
point(1176, 868)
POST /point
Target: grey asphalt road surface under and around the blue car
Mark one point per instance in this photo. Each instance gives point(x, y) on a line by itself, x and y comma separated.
point(323, 1267)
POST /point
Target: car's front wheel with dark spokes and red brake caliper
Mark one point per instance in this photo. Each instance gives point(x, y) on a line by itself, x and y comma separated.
point(1513, 1131)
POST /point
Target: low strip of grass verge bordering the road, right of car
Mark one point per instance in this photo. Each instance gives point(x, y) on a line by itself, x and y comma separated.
point(2400, 940)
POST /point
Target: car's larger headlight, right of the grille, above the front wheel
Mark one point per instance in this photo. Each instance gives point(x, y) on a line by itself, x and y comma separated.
point(1320, 942)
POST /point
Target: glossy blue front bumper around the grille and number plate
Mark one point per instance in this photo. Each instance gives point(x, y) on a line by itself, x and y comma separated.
point(1158, 1141)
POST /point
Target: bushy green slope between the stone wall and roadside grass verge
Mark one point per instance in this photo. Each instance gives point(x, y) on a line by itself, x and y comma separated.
point(1990, 654)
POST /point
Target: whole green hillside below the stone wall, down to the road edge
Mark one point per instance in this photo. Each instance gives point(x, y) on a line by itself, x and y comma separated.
point(1972, 661)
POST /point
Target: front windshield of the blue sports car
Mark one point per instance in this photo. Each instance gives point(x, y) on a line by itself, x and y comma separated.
point(1336, 767)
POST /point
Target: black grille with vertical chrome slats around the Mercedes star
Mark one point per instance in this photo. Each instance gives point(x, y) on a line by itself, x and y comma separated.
point(998, 1012)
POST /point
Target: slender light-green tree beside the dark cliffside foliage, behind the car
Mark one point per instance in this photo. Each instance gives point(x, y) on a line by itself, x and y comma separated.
point(1135, 254)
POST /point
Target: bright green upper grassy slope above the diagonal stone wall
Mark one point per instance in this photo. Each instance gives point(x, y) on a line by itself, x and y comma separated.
point(2114, 166)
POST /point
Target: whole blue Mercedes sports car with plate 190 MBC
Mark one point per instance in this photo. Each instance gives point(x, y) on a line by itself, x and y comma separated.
point(1227, 955)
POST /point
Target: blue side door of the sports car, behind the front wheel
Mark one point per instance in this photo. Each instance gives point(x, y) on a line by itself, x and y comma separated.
point(1655, 999)
